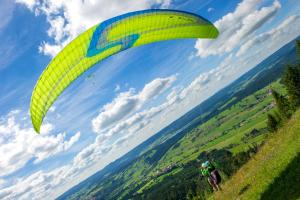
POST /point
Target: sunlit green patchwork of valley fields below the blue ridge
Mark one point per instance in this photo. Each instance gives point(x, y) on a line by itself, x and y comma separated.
point(225, 130)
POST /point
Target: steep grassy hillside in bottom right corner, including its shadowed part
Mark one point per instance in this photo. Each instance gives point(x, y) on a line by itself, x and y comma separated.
point(274, 172)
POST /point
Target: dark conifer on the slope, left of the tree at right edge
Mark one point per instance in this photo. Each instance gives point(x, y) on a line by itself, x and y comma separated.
point(283, 105)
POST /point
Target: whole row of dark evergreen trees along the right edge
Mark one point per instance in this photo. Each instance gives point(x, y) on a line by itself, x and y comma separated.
point(286, 105)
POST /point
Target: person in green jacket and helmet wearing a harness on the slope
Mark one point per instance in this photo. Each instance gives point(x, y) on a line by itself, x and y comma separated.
point(212, 174)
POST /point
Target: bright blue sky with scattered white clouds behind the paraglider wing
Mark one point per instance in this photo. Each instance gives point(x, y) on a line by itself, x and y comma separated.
point(125, 99)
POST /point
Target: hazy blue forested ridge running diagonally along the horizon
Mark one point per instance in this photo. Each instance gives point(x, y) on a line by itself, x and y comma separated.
point(258, 77)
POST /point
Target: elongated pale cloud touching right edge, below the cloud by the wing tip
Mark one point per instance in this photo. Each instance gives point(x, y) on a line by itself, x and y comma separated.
point(287, 30)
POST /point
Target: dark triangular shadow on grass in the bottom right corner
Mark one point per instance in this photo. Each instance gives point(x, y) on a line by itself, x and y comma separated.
point(286, 186)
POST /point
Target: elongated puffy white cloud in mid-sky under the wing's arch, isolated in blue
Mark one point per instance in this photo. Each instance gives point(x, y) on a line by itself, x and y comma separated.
point(128, 102)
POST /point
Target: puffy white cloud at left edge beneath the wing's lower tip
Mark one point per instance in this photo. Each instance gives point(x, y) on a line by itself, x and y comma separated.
point(19, 144)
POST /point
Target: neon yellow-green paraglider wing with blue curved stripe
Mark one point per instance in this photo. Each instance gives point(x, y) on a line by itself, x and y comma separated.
point(106, 39)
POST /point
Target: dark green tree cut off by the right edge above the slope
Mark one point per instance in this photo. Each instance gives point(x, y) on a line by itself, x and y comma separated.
point(291, 81)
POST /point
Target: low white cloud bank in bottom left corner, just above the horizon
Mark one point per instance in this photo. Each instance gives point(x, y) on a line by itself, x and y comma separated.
point(44, 185)
